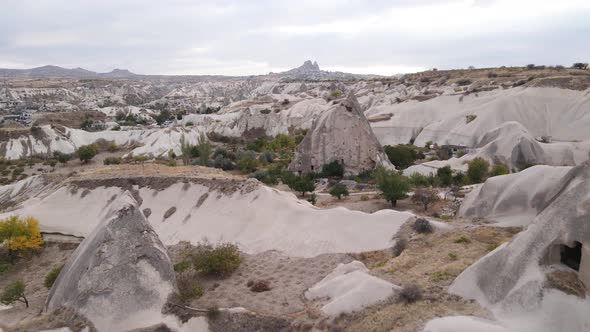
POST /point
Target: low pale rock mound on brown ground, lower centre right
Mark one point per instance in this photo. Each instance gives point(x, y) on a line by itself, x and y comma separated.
point(350, 288)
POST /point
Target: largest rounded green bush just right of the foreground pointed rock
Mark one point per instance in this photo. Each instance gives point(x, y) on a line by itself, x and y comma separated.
point(219, 260)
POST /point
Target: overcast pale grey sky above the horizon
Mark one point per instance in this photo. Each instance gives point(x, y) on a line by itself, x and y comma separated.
point(257, 36)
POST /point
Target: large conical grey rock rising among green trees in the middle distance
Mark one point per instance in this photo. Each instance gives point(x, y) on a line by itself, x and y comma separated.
point(341, 133)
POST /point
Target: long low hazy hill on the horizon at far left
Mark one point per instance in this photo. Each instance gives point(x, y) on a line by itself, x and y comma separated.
point(55, 71)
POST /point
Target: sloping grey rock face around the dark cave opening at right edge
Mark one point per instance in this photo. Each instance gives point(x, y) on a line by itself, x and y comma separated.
point(512, 275)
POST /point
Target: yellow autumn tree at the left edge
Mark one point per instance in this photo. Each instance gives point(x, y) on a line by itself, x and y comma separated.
point(20, 235)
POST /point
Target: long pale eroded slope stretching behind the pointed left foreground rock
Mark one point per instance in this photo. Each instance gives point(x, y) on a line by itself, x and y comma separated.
point(292, 226)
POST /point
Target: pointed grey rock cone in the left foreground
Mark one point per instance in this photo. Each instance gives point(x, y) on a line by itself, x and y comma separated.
point(119, 275)
